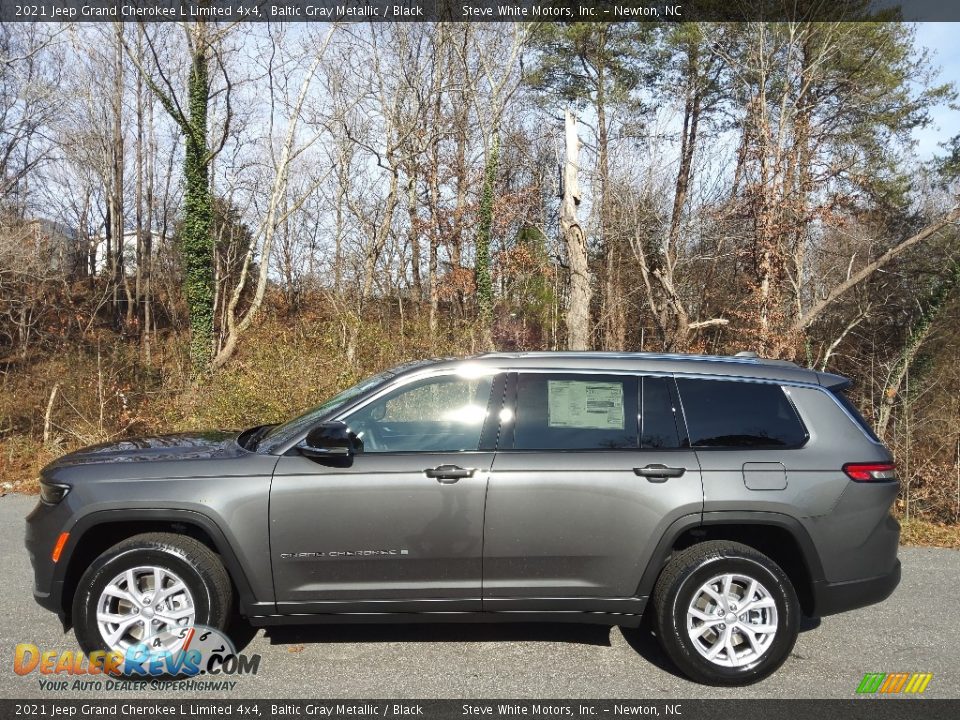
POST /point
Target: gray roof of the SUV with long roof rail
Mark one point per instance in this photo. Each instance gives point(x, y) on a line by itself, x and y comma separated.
point(743, 365)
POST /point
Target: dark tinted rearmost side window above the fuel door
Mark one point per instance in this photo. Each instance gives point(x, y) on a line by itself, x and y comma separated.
point(733, 414)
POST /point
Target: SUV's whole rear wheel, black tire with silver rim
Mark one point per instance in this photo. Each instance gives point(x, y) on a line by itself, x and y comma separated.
point(694, 615)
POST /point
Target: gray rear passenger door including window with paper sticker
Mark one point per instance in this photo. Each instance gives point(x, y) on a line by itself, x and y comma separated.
point(590, 470)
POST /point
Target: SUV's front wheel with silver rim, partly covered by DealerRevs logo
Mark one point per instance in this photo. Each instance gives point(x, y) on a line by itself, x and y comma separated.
point(194, 589)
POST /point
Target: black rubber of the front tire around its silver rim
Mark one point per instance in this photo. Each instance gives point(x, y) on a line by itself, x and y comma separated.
point(107, 567)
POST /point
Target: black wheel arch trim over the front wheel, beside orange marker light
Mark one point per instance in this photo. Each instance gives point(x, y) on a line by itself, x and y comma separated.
point(95, 533)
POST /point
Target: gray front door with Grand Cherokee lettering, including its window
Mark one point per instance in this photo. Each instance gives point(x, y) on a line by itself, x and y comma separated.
point(400, 527)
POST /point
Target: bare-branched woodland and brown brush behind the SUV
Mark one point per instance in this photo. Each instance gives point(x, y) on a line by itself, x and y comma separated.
point(219, 225)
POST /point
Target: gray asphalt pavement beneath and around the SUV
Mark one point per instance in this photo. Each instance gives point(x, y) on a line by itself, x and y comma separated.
point(916, 630)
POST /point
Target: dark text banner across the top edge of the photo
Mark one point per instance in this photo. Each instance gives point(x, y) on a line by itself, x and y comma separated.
point(477, 10)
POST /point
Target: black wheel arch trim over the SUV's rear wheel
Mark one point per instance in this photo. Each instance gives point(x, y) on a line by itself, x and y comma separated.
point(781, 537)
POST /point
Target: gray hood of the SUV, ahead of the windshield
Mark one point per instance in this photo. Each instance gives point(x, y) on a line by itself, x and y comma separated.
point(182, 446)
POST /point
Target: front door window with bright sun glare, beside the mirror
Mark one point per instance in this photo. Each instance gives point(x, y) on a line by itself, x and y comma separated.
point(439, 414)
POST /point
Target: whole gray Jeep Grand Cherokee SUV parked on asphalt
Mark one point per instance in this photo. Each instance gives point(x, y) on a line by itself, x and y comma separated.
point(729, 494)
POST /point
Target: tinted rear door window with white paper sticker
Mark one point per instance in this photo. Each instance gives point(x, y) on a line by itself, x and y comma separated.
point(576, 412)
